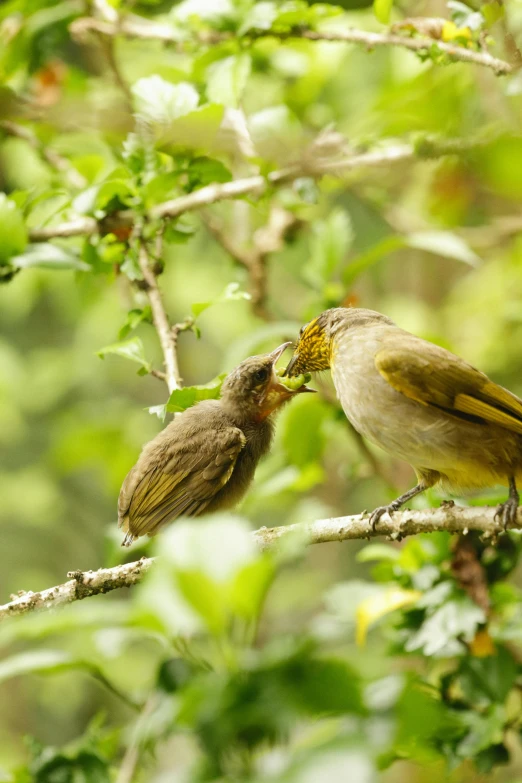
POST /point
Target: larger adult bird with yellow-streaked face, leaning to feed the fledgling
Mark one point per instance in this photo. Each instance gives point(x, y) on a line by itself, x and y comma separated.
point(419, 402)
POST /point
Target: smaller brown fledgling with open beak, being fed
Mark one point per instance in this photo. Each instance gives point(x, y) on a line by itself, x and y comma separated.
point(205, 459)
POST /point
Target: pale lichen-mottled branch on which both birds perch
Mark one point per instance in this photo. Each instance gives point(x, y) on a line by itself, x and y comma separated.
point(448, 518)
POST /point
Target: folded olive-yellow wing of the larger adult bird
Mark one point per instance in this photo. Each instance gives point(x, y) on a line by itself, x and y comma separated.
point(433, 376)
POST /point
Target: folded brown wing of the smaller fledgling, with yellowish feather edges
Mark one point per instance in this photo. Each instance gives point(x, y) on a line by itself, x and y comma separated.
point(185, 484)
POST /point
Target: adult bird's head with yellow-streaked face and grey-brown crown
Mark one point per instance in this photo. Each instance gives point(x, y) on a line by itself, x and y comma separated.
point(314, 348)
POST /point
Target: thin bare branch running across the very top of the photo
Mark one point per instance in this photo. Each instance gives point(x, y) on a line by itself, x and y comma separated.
point(136, 27)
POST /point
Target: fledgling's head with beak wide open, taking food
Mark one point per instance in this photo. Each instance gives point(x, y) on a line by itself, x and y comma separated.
point(254, 389)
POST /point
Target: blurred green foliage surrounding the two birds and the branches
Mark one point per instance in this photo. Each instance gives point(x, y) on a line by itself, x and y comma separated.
point(227, 663)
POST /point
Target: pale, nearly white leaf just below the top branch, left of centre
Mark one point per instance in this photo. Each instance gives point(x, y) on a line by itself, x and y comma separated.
point(160, 101)
